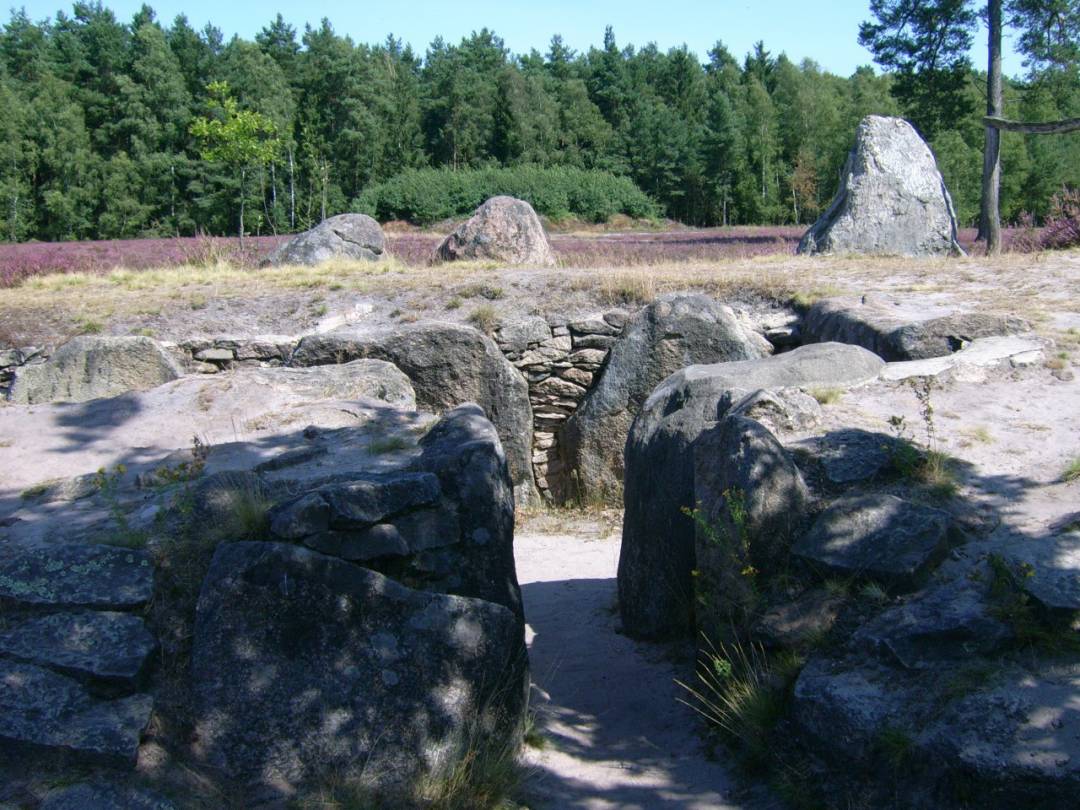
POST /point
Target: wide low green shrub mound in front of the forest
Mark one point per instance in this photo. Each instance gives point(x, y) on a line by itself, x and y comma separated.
point(426, 196)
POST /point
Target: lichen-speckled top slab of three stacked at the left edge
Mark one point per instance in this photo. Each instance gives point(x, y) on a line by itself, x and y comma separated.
point(75, 576)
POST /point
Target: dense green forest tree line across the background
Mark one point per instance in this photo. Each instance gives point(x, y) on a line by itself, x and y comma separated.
point(100, 136)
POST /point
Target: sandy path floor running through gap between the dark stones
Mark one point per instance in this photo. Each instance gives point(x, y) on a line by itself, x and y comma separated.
point(617, 736)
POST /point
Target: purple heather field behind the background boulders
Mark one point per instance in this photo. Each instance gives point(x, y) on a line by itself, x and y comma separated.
point(21, 262)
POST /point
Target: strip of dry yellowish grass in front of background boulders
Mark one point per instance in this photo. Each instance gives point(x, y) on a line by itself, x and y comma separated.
point(60, 306)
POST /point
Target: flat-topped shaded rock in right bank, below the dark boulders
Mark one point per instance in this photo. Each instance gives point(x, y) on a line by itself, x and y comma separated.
point(877, 536)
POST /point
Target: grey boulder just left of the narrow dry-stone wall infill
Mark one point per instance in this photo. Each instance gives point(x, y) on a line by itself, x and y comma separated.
point(450, 366)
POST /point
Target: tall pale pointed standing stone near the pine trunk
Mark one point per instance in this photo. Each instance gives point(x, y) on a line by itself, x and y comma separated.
point(893, 199)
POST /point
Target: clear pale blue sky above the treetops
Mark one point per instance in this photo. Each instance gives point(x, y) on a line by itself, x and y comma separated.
point(827, 33)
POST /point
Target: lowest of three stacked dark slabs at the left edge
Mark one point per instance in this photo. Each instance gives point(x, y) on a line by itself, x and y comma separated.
point(40, 709)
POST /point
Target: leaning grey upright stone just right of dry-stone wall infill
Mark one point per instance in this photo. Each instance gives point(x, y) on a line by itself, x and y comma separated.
point(666, 336)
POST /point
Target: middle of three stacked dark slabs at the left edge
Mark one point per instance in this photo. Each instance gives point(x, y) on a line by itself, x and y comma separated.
point(104, 649)
